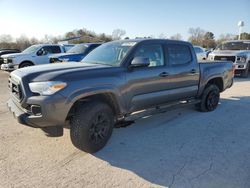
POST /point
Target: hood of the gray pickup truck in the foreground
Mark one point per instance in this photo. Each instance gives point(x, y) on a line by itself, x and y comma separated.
point(56, 71)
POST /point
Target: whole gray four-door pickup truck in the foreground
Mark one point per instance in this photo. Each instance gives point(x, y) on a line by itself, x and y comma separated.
point(116, 82)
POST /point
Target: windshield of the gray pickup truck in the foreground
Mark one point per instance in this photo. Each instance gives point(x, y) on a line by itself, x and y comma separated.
point(111, 53)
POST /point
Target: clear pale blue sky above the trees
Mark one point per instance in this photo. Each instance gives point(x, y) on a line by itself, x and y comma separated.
point(137, 17)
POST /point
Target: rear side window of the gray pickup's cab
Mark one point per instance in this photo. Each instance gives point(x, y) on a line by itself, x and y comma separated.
point(178, 54)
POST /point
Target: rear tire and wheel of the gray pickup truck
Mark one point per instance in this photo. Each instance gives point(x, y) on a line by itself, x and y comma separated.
point(209, 99)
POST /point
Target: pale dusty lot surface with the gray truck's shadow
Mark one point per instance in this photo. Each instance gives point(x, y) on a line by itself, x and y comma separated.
point(181, 148)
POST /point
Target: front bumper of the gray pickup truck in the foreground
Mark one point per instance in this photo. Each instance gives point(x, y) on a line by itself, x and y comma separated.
point(51, 111)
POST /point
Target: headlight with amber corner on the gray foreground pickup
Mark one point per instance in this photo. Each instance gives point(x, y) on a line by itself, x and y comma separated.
point(46, 88)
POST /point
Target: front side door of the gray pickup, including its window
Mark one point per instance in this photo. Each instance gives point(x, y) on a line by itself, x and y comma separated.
point(146, 85)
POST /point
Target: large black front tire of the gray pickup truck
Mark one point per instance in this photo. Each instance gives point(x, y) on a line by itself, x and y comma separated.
point(91, 126)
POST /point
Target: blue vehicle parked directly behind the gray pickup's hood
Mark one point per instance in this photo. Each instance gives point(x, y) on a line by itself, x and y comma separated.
point(77, 53)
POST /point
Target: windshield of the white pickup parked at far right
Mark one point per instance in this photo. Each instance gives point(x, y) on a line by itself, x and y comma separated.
point(234, 46)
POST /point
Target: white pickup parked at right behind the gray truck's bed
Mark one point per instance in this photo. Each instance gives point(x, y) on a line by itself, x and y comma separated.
point(237, 51)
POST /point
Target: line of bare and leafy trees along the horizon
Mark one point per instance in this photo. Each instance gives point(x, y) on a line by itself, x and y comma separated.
point(197, 36)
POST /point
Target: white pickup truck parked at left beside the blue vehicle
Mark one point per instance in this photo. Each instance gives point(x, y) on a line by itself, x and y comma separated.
point(34, 55)
